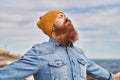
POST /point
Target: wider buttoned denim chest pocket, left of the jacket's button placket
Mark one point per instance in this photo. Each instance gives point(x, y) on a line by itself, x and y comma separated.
point(58, 69)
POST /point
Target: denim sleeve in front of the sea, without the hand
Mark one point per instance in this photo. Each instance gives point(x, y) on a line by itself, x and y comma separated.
point(97, 71)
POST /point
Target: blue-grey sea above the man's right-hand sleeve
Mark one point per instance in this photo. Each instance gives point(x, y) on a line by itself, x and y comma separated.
point(112, 65)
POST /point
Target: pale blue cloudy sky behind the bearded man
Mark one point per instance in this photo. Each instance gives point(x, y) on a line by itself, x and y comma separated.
point(96, 21)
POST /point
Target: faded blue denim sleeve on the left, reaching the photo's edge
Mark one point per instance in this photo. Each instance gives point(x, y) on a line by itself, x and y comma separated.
point(22, 68)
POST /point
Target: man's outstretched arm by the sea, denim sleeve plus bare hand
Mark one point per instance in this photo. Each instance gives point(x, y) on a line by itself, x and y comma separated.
point(98, 72)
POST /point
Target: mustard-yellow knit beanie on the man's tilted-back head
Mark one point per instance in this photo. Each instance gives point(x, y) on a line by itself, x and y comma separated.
point(46, 22)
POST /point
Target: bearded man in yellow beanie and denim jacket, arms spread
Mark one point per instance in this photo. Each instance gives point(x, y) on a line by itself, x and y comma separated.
point(57, 59)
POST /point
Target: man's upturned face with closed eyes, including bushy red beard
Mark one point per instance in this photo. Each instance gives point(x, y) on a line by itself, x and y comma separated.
point(64, 30)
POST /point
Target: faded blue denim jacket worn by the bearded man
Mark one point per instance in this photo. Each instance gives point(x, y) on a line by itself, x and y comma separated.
point(52, 61)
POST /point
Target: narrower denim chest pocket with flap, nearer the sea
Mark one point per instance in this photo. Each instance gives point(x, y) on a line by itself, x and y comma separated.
point(82, 65)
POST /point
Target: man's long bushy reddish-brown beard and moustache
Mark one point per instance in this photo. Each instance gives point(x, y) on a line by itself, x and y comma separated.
point(66, 34)
